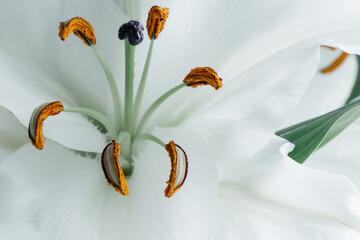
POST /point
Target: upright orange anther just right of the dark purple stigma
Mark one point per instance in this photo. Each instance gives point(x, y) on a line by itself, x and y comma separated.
point(156, 21)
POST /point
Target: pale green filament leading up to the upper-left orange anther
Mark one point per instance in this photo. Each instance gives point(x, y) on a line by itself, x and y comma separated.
point(113, 88)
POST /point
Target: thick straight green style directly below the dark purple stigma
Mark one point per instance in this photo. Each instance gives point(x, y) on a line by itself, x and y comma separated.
point(129, 83)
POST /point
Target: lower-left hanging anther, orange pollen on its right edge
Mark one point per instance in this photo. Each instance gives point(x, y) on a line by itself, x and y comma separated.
point(112, 169)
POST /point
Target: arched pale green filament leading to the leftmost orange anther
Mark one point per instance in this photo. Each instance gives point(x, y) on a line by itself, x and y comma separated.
point(95, 115)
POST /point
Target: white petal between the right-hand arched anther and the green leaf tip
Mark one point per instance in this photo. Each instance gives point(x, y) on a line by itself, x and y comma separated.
point(240, 125)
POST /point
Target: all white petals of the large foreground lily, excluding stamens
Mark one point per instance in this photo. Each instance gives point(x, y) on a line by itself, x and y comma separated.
point(240, 183)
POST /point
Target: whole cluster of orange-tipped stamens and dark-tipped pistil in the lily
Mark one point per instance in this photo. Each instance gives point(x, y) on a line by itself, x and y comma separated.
point(127, 126)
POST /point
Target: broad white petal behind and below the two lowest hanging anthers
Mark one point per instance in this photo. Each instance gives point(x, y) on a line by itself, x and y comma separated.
point(59, 195)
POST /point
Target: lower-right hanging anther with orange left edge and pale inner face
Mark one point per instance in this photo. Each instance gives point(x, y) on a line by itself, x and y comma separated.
point(179, 168)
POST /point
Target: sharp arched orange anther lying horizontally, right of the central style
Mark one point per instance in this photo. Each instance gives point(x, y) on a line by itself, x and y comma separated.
point(203, 76)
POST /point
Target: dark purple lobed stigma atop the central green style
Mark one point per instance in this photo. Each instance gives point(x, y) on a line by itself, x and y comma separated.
point(133, 30)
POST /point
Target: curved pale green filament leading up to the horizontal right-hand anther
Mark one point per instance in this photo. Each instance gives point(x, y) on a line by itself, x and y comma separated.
point(155, 105)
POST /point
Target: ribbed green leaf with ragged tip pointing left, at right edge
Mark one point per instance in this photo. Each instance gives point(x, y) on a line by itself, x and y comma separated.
point(312, 134)
